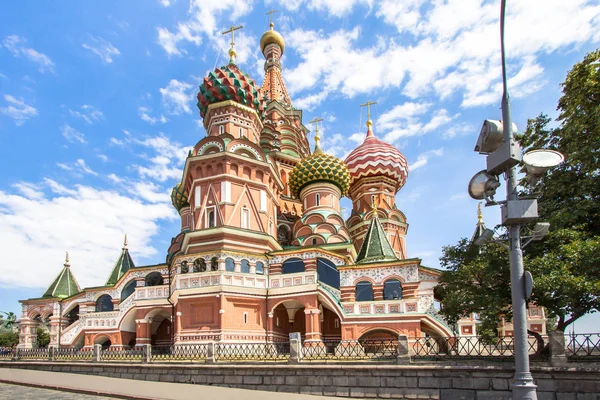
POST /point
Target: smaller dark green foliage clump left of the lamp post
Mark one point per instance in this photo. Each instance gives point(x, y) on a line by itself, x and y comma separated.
point(476, 280)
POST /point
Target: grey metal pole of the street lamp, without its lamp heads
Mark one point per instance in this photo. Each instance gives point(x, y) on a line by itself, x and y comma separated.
point(523, 386)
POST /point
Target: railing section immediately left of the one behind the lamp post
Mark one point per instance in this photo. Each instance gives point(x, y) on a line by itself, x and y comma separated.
point(350, 350)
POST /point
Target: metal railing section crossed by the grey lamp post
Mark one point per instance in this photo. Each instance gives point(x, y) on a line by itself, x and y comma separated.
point(466, 347)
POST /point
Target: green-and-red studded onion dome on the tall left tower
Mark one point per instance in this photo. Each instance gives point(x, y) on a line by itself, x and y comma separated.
point(229, 83)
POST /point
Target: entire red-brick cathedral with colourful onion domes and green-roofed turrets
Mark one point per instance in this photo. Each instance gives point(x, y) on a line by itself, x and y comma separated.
point(264, 250)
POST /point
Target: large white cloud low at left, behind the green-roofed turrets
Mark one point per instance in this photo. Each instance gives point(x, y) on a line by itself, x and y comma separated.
point(86, 221)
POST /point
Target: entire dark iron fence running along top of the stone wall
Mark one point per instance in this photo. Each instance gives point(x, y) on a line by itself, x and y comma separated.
point(578, 347)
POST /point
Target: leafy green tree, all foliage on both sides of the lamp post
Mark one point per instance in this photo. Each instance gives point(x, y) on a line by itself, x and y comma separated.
point(566, 263)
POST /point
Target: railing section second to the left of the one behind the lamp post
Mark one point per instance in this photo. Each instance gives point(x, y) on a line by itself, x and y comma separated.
point(252, 351)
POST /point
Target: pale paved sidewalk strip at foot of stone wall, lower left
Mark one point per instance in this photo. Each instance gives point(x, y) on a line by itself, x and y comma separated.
point(130, 388)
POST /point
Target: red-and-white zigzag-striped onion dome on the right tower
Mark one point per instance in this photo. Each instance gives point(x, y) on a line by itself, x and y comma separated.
point(377, 158)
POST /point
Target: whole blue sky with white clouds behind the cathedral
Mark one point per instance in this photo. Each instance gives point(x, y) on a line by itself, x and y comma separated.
point(97, 109)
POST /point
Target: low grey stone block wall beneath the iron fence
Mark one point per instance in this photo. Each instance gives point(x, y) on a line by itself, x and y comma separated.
point(356, 381)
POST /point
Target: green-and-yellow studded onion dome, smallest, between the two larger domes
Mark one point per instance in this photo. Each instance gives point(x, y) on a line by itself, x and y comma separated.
point(319, 167)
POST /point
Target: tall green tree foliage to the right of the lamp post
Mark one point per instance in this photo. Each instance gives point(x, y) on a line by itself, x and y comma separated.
point(565, 264)
